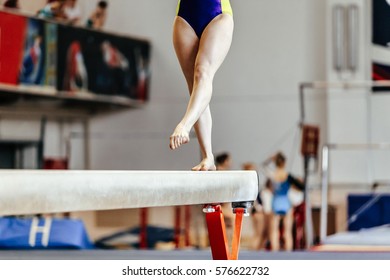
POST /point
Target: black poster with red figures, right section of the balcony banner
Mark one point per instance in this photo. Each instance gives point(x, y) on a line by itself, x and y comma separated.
point(101, 63)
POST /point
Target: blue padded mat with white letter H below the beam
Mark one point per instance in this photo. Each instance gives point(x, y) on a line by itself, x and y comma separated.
point(19, 233)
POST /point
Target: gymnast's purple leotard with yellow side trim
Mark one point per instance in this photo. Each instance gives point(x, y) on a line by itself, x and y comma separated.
point(199, 13)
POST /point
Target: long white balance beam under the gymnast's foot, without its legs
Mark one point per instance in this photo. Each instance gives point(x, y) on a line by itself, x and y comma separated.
point(52, 191)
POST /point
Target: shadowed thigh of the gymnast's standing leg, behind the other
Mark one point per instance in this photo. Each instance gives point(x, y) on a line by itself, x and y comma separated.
point(186, 45)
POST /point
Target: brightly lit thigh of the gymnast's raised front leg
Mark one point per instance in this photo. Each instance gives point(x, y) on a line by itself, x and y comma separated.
point(215, 42)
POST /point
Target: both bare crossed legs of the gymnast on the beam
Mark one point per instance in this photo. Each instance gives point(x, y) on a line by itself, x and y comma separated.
point(200, 59)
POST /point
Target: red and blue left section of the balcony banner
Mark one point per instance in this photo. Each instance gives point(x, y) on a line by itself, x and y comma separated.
point(27, 52)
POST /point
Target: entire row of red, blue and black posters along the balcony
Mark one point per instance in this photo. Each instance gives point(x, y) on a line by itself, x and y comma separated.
point(48, 57)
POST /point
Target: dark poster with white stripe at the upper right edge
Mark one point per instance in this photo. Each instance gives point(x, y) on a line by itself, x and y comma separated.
point(381, 42)
